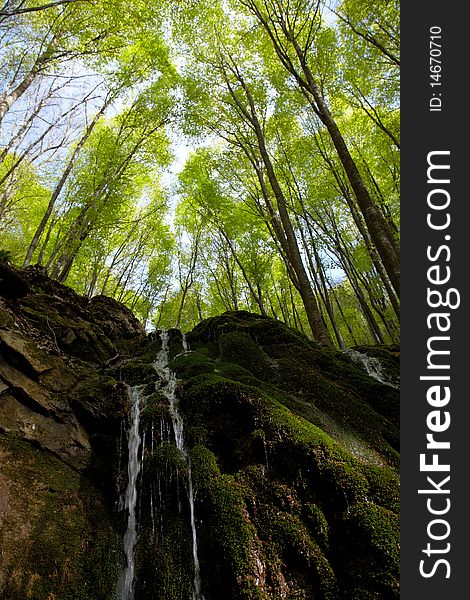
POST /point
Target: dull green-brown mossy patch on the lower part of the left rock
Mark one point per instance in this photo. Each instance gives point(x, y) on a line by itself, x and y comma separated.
point(72, 550)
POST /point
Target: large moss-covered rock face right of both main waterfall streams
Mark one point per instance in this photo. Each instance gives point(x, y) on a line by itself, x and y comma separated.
point(295, 457)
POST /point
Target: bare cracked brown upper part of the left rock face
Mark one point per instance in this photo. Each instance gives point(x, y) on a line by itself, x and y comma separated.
point(54, 382)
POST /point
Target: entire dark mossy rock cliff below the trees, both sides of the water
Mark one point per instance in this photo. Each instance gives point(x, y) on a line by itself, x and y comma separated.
point(291, 450)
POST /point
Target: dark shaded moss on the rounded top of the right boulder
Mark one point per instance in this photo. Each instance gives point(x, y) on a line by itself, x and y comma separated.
point(306, 378)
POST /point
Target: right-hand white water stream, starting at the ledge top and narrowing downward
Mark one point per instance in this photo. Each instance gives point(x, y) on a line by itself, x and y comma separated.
point(168, 389)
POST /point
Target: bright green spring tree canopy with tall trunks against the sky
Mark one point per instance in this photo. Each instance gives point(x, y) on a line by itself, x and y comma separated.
point(189, 157)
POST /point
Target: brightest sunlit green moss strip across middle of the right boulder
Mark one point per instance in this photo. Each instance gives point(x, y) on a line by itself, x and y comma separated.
point(296, 444)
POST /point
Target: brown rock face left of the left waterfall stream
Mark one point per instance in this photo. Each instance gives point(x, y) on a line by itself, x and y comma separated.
point(60, 420)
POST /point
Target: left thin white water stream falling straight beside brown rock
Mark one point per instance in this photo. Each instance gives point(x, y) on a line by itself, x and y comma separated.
point(126, 591)
